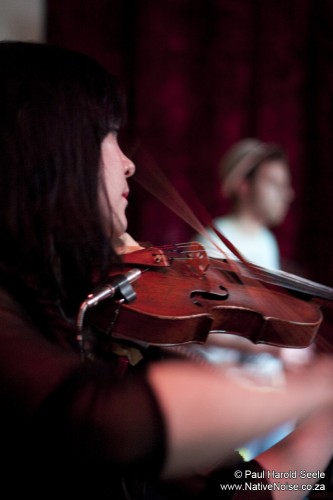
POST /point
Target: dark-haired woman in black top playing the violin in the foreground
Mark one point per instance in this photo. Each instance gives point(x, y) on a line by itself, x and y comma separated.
point(159, 430)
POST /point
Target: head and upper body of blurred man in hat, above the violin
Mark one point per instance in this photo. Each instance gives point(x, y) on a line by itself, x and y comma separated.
point(255, 178)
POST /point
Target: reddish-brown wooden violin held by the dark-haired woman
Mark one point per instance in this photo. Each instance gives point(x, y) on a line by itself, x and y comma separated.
point(182, 296)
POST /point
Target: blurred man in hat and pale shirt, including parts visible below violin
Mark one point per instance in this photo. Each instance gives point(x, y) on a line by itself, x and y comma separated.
point(255, 178)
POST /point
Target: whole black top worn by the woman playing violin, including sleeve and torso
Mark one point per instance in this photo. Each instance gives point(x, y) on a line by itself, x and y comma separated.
point(81, 430)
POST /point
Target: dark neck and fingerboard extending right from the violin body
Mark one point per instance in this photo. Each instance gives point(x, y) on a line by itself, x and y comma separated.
point(289, 281)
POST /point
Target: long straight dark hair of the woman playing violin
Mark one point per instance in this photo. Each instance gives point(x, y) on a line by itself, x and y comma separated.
point(56, 106)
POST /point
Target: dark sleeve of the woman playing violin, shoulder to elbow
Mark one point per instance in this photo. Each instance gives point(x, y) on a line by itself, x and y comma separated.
point(54, 406)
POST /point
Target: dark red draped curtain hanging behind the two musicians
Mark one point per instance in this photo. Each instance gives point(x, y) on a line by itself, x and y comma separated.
point(201, 74)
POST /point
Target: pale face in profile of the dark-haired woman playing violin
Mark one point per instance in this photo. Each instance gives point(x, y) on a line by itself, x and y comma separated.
point(115, 170)
